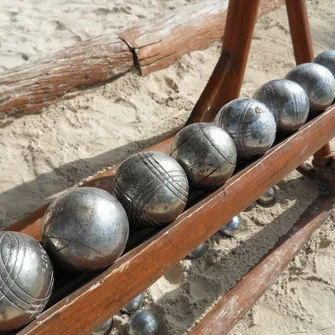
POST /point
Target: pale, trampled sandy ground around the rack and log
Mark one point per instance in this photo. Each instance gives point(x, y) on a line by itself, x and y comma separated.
point(42, 155)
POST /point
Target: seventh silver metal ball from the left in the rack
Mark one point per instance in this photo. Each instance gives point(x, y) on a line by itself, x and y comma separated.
point(318, 83)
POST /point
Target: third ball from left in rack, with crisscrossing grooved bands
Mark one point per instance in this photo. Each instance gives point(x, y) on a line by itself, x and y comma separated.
point(152, 187)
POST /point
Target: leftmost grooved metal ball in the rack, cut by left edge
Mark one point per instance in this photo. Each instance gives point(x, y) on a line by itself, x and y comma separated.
point(26, 280)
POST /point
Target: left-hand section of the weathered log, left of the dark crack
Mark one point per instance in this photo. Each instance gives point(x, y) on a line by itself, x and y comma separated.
point(36, 85)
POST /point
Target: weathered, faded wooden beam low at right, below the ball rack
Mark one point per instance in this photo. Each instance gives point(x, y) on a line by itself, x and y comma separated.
point(232, 307)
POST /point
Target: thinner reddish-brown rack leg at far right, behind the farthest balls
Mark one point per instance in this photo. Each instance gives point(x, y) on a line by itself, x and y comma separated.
point(303, 52)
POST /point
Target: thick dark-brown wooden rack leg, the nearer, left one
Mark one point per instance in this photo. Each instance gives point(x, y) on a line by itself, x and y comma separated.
point(226, 80)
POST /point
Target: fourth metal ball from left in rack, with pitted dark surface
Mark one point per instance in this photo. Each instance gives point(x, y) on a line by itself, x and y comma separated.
point(206, 152)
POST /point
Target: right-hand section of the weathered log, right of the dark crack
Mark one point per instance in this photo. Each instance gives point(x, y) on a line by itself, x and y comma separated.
point(161, 42)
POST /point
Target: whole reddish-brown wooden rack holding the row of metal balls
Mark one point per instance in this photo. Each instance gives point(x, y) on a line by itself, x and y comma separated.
point(91, 300)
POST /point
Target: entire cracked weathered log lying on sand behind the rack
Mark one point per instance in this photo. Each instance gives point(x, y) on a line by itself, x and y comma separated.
point(154, 46)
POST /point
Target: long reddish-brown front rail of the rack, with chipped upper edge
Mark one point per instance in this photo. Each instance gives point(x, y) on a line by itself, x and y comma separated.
point(141, 267)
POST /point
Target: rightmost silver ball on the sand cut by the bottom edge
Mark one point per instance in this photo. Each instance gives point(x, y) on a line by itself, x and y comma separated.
point(144, 322)
